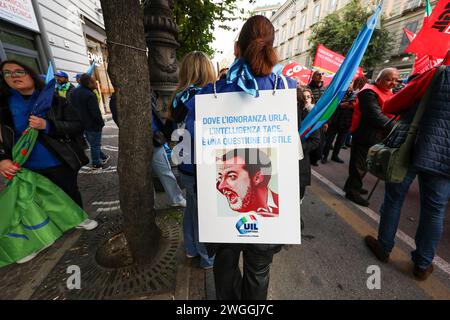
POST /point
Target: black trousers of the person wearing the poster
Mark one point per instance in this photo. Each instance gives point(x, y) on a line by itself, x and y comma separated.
point(230, 284)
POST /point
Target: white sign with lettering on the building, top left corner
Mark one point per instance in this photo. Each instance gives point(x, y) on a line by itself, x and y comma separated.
point(19, 12)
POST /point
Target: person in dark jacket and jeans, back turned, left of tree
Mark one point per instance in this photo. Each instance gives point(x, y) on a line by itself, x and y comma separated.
point(86, 103)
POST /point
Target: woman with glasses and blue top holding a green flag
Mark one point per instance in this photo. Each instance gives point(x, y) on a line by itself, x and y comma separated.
point(58, 154)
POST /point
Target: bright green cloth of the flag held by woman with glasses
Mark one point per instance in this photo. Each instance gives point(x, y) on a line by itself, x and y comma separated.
point(34, 211)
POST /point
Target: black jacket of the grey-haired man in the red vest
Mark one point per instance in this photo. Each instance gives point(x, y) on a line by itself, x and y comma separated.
point(374, 124)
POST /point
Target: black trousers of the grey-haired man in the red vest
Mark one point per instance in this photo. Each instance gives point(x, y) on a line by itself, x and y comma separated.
point(356, 169)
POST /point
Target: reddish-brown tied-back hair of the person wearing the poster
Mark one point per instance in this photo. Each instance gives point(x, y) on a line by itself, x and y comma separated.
point(256, 45)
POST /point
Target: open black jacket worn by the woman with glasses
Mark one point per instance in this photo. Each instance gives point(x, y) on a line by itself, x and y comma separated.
point(64, 139)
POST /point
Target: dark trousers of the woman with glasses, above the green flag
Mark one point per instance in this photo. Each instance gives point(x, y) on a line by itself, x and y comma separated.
point(66, 179)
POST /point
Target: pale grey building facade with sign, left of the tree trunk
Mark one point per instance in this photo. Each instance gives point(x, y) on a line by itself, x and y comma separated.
point(69, 33)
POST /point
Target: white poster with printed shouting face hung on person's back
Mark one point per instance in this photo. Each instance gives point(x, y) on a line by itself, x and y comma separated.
point(247, 167)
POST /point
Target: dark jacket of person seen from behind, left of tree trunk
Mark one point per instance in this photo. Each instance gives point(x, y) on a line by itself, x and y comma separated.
point(86, 103)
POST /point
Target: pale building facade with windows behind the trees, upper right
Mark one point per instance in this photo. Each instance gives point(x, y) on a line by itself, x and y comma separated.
point(294, 20)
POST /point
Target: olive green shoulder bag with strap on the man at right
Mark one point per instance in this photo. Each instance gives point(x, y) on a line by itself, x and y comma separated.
point(391, 164)
